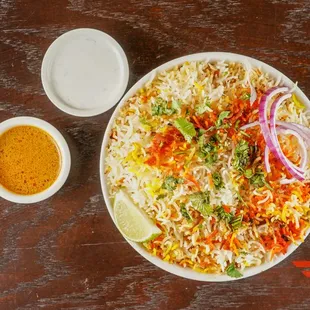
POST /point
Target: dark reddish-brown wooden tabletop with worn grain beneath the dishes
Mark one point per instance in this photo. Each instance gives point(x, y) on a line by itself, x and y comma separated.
point(65, 252)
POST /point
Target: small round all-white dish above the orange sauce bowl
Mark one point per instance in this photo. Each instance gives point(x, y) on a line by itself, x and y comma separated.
point(85, 72)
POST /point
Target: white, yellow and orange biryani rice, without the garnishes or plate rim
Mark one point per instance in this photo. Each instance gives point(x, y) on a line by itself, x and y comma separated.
point(270, 221)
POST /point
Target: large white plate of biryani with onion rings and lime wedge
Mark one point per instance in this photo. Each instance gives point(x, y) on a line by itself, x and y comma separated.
point(205, 166)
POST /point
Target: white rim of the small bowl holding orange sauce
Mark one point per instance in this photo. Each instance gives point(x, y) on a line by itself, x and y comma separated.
point(64, 153)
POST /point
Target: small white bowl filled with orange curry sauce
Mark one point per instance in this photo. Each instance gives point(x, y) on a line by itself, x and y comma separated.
point(34, 160)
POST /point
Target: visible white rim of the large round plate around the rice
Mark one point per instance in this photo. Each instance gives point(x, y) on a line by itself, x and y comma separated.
point(175, 269)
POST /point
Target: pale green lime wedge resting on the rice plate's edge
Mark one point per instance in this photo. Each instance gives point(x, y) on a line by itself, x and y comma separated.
point(132, 221)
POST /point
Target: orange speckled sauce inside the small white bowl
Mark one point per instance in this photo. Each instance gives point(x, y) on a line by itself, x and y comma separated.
point(30, 160)
